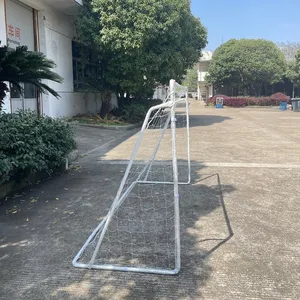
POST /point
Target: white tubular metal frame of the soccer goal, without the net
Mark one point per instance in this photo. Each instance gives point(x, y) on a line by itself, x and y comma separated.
point(178, 95)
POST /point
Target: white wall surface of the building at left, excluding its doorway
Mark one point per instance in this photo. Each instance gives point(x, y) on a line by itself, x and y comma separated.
point(56, 31)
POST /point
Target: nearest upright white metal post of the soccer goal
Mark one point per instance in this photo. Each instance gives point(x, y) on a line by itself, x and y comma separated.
point(175, 177)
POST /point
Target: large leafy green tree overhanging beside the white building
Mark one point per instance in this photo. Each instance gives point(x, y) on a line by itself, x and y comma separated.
point(141, 43)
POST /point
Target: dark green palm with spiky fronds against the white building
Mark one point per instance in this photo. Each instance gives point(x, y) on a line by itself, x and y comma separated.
point(19, 66)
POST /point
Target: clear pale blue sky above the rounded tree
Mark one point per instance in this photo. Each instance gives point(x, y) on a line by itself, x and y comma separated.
point(275, 20)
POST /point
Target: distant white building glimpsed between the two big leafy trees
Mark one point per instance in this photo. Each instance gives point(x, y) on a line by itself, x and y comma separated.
point(205, 90)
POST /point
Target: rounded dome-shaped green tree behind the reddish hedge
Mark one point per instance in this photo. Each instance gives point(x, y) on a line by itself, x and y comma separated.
point(247, 65)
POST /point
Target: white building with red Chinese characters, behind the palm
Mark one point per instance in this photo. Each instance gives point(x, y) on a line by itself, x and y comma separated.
point(47, 26)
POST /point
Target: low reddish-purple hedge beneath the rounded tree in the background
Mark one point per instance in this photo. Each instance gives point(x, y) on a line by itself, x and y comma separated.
point(273, 100)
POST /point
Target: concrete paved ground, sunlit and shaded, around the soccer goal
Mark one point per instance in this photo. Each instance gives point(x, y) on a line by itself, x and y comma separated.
point(239, 219)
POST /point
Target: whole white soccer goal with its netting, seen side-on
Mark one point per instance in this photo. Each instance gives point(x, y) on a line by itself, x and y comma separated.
point(141, 231)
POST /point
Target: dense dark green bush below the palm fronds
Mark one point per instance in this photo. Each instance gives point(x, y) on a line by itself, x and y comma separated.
point(30, 144)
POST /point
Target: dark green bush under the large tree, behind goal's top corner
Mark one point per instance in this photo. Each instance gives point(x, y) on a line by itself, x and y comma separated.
point(136, 111)
